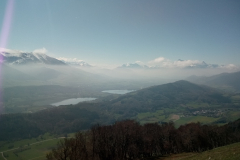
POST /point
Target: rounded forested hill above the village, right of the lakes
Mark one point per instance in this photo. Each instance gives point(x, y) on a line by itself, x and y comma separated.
point(171, 95)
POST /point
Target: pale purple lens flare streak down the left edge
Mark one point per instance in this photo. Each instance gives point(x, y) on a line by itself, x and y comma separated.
point(6, 25)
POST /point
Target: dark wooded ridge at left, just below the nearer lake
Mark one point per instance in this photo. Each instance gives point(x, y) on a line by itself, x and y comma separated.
point(55, 120)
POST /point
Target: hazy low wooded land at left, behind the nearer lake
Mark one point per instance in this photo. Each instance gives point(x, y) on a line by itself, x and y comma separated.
point(28, 99)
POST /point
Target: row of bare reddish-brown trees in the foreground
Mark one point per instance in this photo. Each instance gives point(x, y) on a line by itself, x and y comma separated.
point(128, 140)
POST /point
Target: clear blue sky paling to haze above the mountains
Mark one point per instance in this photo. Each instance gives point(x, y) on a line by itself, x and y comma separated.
point(116, 32)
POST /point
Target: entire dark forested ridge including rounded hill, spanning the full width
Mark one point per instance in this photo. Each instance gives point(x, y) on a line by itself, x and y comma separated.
point(177, 97)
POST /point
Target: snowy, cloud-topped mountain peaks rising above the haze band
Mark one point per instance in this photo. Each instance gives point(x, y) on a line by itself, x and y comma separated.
point(14, 57)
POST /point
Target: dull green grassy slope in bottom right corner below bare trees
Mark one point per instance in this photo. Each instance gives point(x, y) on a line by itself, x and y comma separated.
point(229, 152)
